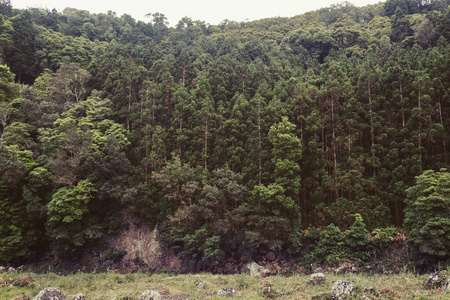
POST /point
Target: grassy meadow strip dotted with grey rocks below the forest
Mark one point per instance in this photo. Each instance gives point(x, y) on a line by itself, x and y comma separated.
point(130, 286)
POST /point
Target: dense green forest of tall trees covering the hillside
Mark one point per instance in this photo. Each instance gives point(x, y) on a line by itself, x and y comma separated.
point(281, 132)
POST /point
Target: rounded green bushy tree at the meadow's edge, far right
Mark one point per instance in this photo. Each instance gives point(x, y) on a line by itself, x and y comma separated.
point(427, 218)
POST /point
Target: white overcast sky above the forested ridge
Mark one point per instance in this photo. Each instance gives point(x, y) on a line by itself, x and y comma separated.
point(212, 11)
